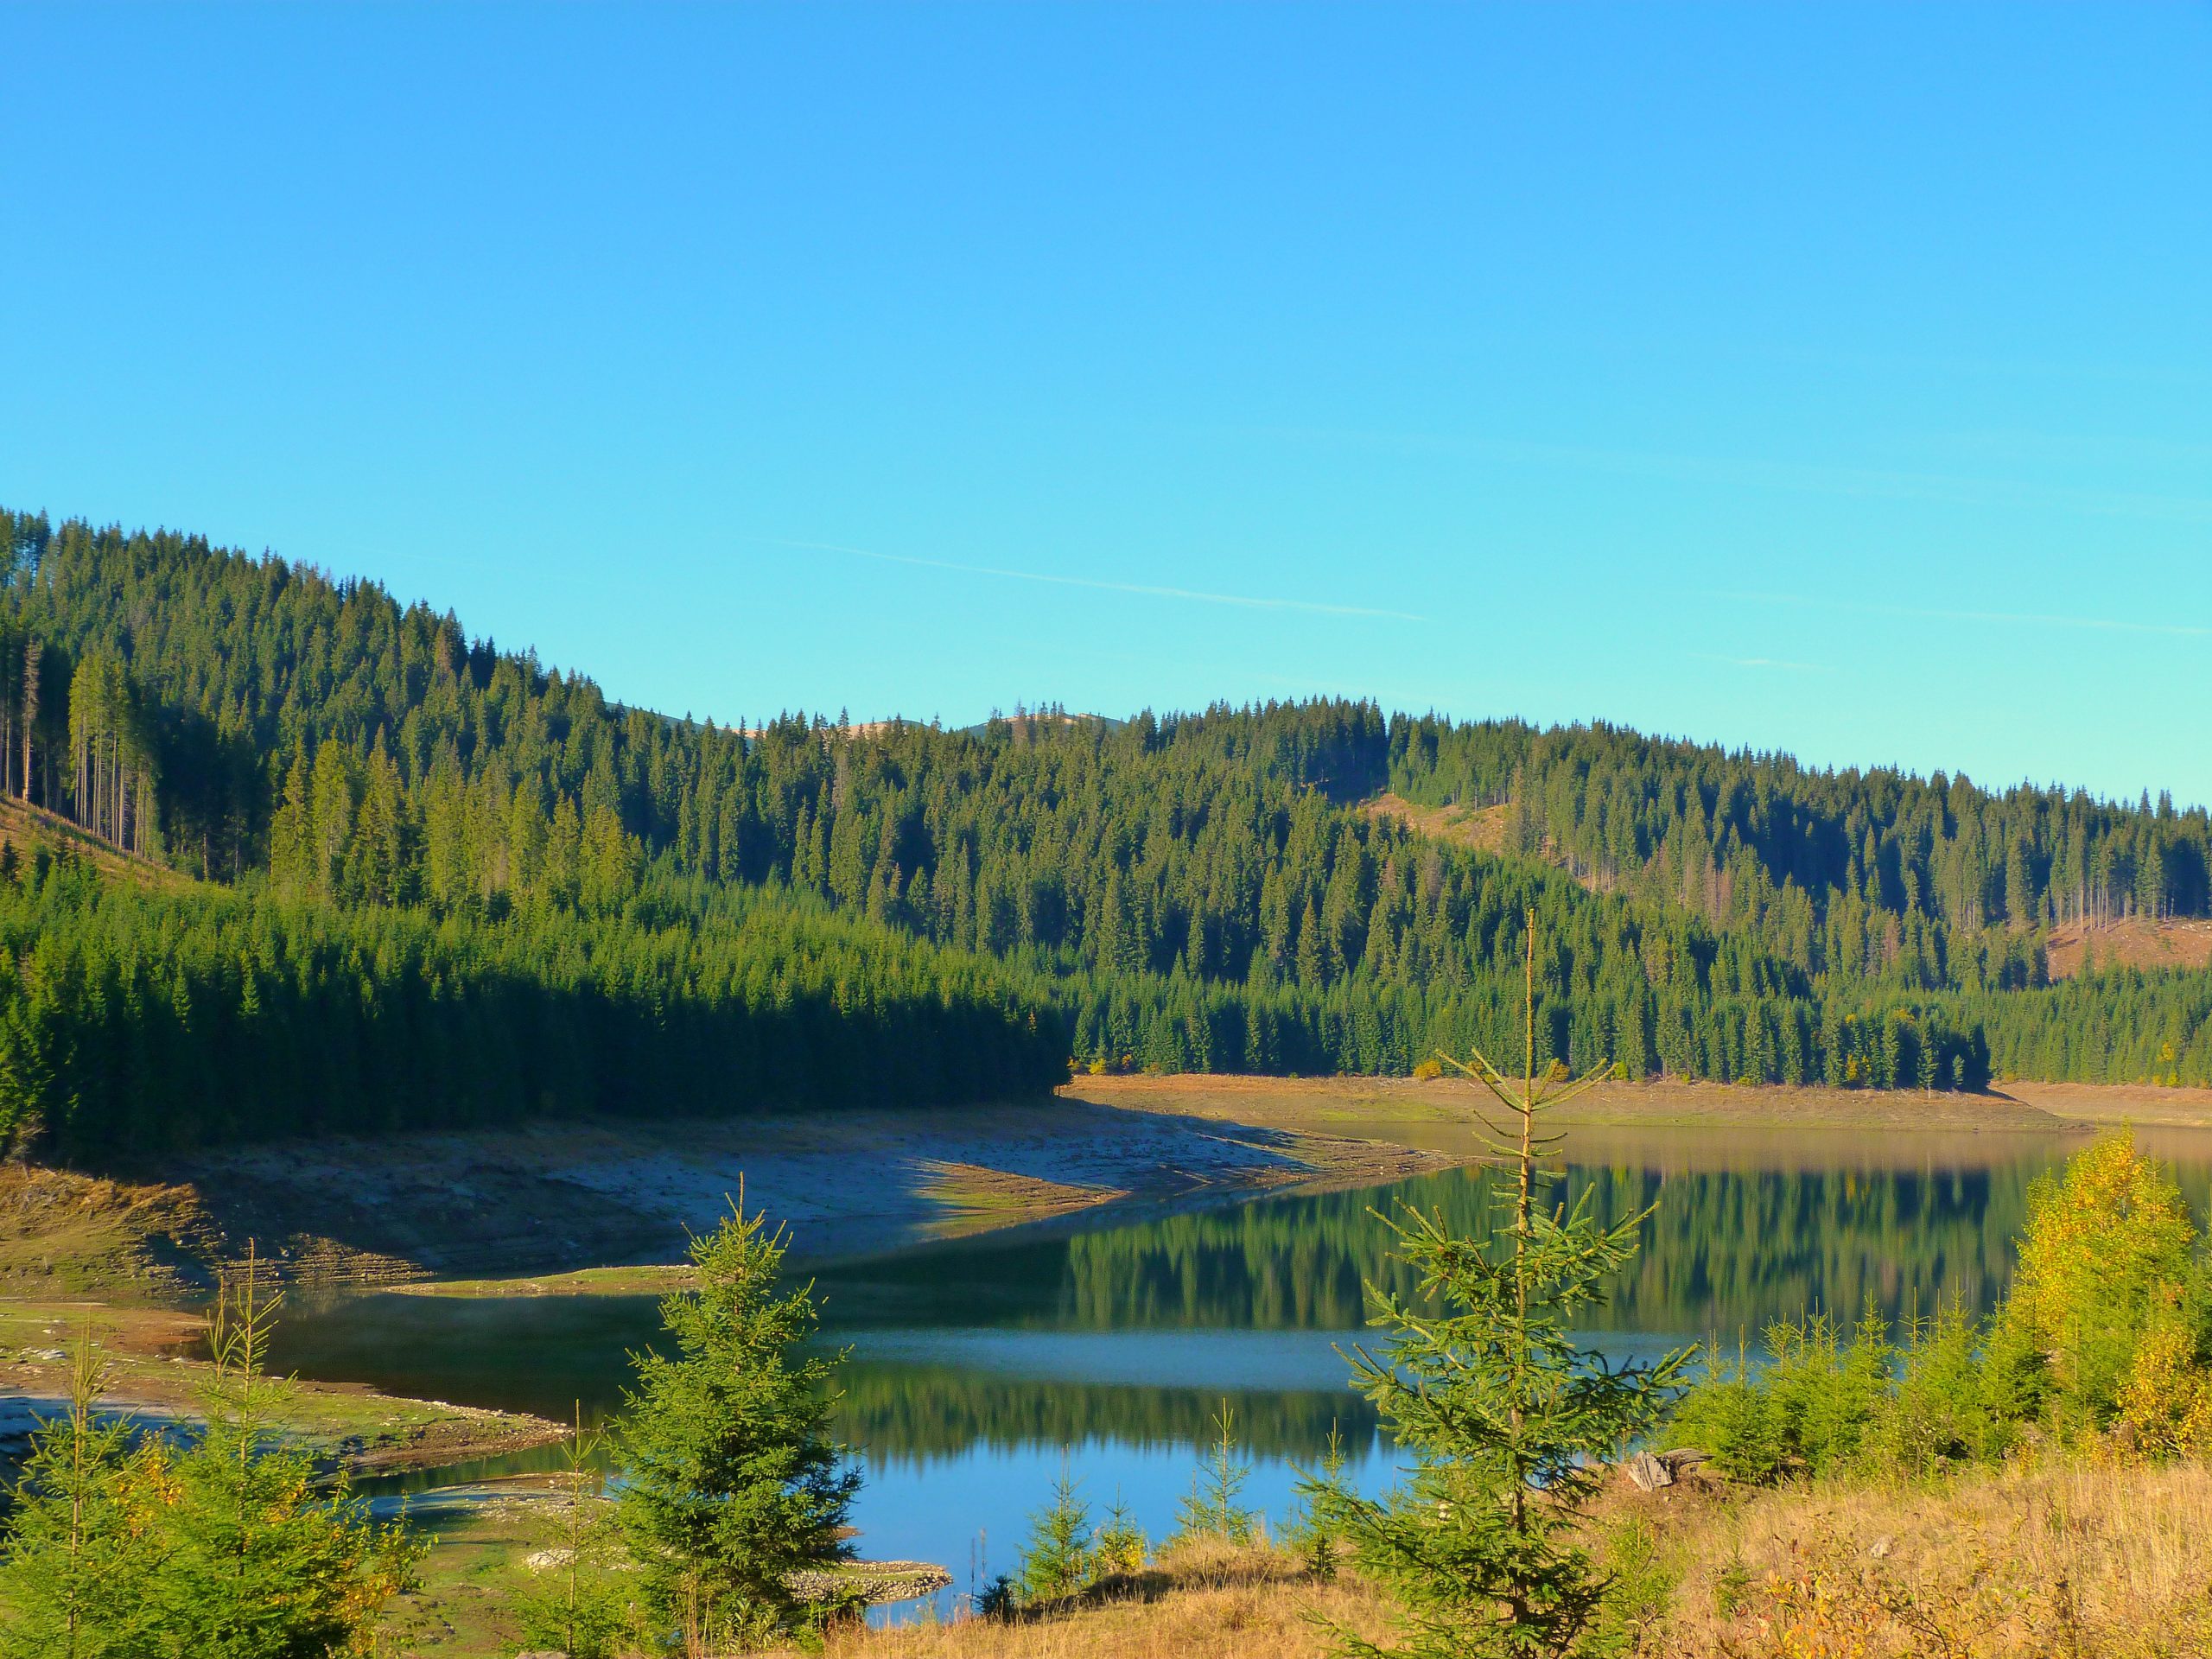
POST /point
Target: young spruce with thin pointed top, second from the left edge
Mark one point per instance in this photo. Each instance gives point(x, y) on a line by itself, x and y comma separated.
point(260, 1554)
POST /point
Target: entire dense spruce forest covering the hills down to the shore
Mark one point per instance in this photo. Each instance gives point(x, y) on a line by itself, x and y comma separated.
point(435, 884)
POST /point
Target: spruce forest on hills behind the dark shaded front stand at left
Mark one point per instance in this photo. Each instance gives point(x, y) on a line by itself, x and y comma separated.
point(1187, 893)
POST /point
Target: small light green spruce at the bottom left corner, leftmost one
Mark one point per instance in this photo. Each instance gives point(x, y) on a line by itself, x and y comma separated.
point(72, 1574)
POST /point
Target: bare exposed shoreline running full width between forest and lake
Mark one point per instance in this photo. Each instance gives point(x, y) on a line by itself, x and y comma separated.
point(561, 1209)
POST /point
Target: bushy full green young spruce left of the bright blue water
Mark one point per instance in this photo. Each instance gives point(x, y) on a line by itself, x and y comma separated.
point(731, 1479)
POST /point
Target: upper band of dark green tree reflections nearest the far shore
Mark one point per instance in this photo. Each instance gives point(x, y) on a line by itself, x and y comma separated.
point(1726, 1249)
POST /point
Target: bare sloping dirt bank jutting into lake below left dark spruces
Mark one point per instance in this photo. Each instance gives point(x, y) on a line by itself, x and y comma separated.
point(563, 1198)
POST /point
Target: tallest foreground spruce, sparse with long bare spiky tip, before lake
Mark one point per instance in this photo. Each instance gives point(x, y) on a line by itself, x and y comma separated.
point(1507, 1419)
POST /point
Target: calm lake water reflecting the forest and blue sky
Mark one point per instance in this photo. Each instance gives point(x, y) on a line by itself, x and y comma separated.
point(979, 1366)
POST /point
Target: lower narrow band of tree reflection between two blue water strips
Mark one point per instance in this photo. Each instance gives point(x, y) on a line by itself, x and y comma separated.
point(897, 1412)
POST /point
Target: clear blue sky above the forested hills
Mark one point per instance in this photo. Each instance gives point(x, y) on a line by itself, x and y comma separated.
point(1799, 377)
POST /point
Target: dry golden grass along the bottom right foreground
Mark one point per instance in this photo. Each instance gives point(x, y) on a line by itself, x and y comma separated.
point(2060, 1563)
